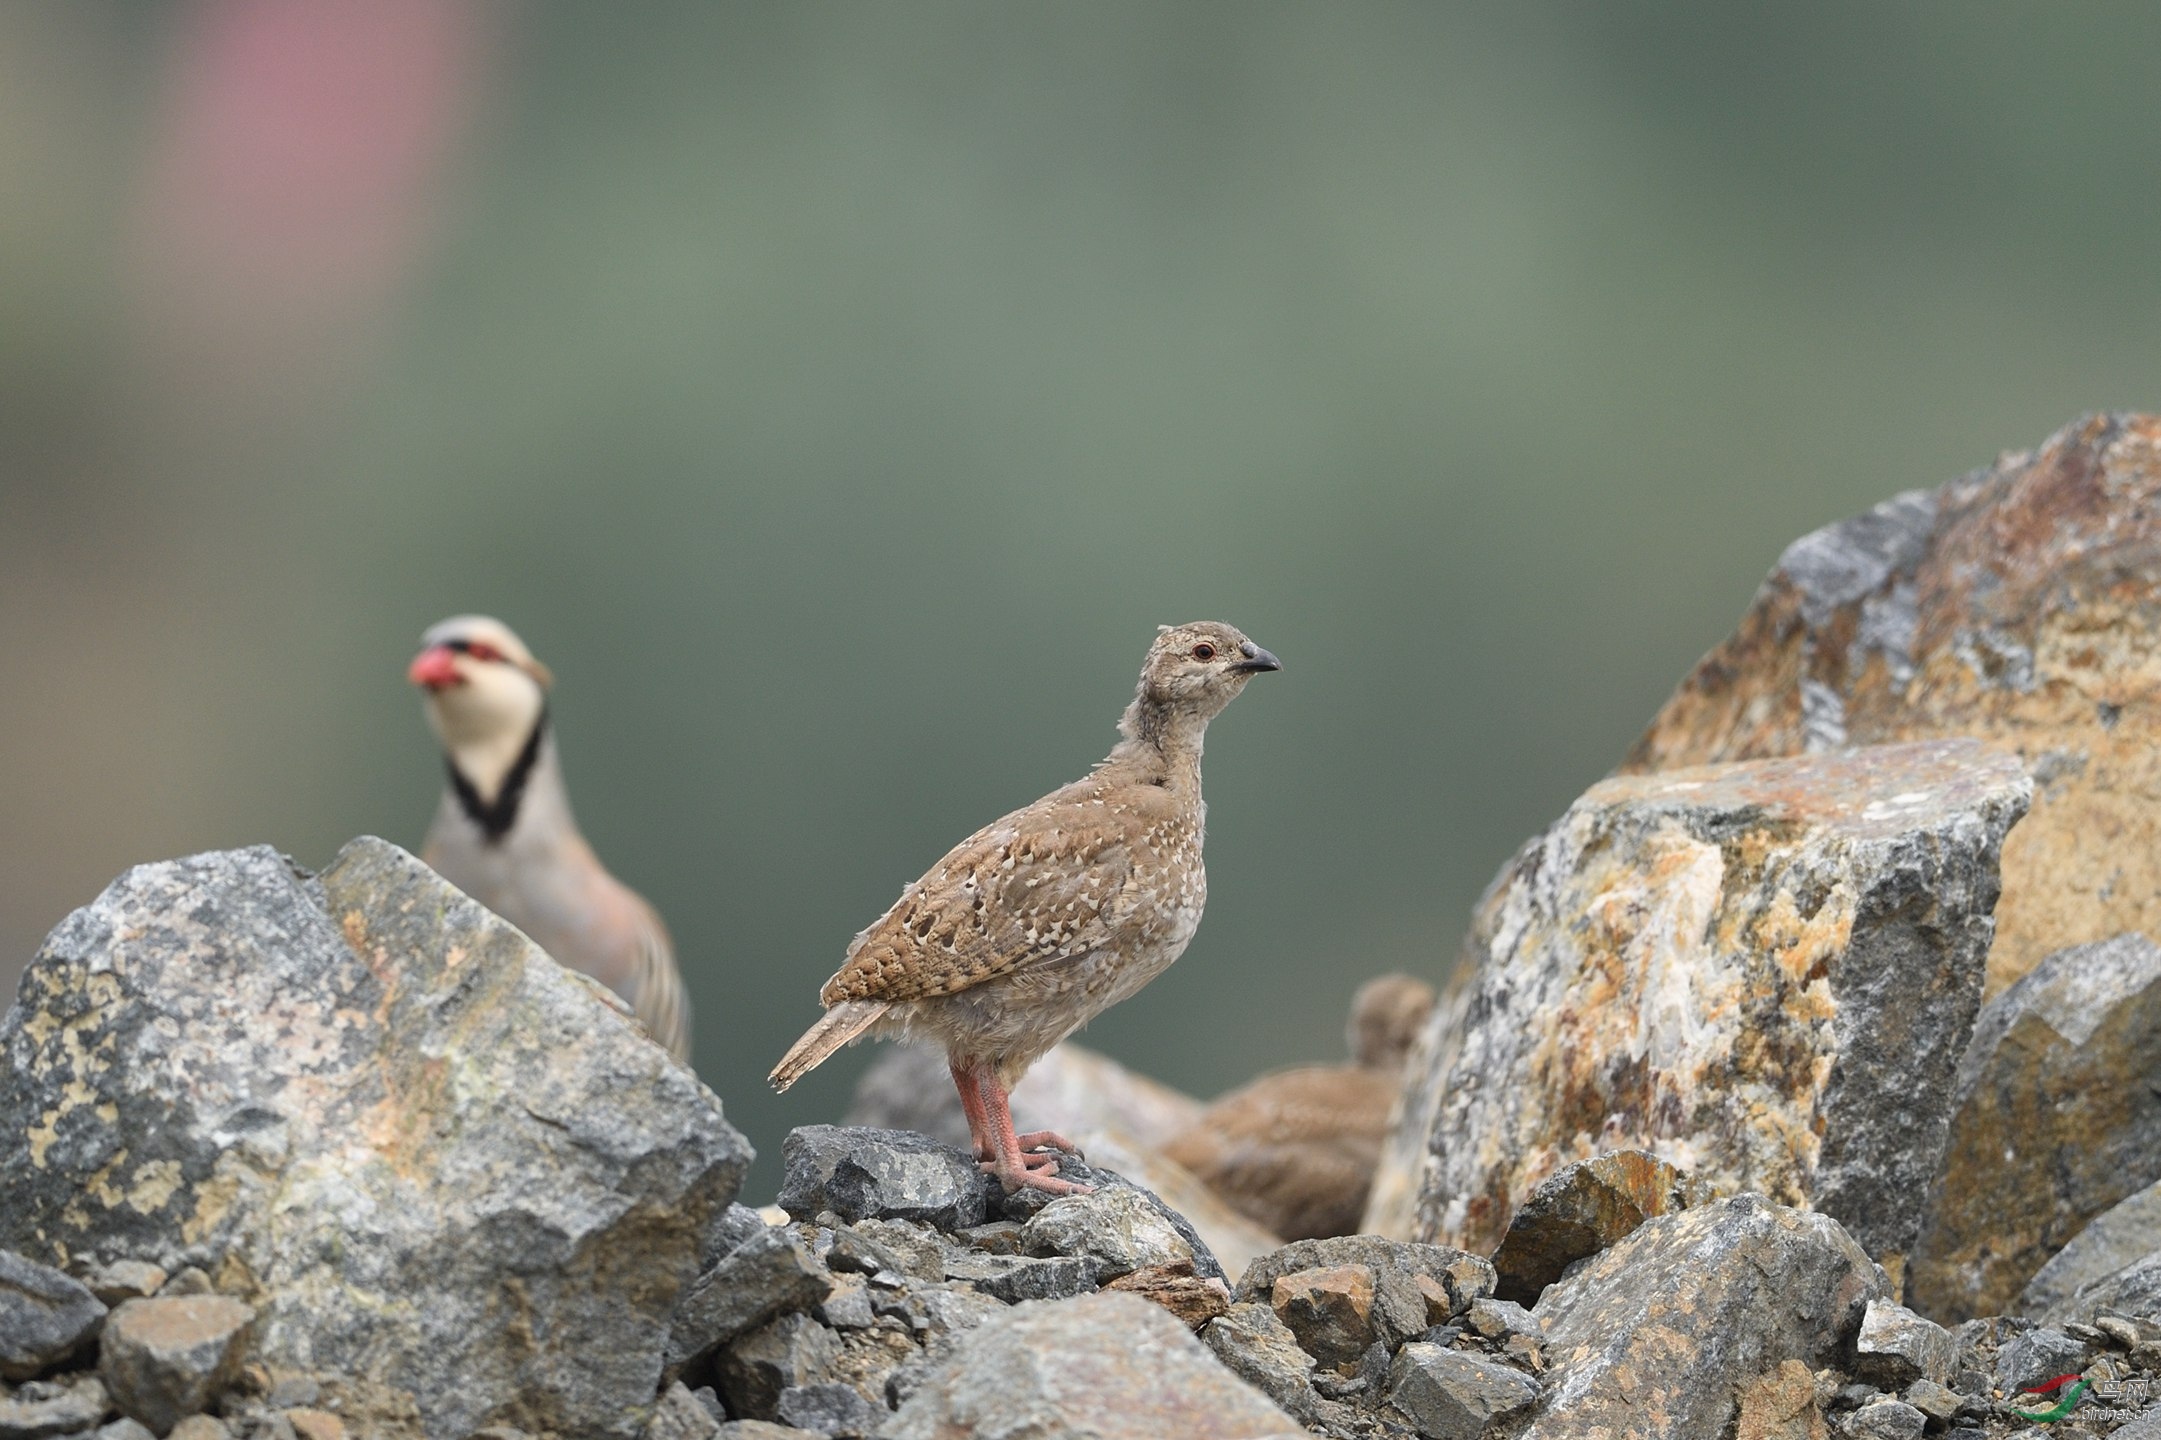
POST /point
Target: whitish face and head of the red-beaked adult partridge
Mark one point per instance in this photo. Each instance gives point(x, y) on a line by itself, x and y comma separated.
point(485, 695)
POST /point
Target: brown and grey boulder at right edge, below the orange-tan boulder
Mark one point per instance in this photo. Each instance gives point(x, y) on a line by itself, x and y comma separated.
point(2058, 1119)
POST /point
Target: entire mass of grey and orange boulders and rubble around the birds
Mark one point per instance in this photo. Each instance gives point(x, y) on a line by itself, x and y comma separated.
point(306, 1158)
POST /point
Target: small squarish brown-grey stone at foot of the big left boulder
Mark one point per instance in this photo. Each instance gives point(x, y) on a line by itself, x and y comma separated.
point(167, 1359)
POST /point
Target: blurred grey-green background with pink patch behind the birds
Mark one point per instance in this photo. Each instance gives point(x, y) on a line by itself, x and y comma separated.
point(837, 397)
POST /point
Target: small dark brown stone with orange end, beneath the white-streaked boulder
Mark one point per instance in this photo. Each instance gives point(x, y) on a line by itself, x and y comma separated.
point(1579, 1212)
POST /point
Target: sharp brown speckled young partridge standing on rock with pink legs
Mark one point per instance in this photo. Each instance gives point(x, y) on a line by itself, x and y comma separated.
point(1051, 916)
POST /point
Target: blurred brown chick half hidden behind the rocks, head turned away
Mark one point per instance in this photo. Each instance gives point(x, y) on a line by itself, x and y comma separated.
point(1296, 1151)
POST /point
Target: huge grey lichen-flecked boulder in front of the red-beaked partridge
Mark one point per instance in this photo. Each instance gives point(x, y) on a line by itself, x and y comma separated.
point(451, 1175)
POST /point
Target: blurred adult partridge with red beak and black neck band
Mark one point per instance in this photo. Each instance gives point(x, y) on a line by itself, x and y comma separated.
point(505, 831)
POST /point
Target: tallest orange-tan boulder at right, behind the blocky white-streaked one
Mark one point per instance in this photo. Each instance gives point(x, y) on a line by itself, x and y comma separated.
point(2019, 604)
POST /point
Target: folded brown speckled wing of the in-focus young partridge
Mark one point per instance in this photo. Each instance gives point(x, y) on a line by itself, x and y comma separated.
point(1038, 888)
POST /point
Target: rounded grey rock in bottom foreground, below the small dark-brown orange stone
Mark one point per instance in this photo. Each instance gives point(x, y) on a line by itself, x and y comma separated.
point(1659, 1335)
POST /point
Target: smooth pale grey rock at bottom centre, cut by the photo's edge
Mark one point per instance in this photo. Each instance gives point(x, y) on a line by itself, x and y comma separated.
point(1099, 1368)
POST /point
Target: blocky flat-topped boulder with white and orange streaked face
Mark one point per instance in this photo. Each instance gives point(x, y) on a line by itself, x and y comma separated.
point(1762, 972)
